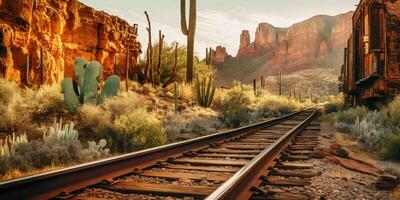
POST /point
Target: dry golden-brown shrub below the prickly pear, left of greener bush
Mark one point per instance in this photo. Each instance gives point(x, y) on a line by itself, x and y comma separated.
point(94, 118)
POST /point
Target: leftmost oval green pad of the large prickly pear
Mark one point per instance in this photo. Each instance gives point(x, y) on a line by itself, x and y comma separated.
point(71, 99)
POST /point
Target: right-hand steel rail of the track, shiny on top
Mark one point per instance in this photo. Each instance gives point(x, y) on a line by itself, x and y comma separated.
point(240, 184)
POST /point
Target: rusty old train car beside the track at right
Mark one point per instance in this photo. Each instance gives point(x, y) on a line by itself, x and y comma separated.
point(371, 70)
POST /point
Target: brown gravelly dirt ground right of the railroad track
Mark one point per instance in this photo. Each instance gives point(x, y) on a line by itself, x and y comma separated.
point(337, 182)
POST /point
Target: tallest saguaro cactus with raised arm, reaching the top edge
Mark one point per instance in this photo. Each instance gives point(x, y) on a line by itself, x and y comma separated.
point(190, 33)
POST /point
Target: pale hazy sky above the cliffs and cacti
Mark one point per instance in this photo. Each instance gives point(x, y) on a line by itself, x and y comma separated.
point(219, 22)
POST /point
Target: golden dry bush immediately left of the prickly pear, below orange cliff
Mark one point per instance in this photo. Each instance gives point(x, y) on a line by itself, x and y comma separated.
point(47, 98)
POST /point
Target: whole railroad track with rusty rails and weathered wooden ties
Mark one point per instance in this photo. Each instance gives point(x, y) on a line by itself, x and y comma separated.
point(244, 163)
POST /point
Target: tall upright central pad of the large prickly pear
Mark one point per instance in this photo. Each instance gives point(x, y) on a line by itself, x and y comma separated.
point(91, 83)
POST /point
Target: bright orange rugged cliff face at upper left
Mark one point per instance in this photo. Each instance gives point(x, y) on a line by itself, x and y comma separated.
point(63, 30)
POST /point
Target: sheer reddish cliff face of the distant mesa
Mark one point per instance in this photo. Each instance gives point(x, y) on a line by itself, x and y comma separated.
point(299, 46)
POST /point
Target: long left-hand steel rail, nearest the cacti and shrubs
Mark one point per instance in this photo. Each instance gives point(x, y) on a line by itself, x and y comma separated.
point(50, 184)
